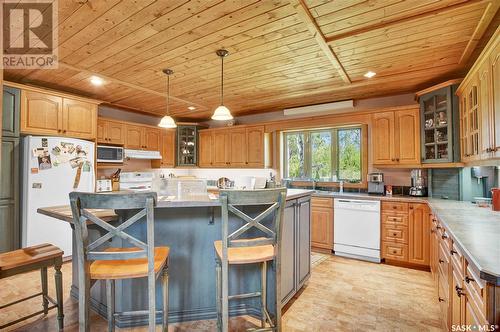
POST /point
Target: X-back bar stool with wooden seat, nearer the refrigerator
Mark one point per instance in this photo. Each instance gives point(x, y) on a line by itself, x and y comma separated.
point(110, 264)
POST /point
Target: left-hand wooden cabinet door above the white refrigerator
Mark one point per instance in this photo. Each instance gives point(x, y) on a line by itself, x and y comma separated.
point(41, 113)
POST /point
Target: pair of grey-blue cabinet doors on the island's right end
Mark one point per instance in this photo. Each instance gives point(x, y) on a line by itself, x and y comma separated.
point(295, 247)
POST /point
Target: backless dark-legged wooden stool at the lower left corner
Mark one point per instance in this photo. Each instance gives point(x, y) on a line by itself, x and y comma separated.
point(33, 258)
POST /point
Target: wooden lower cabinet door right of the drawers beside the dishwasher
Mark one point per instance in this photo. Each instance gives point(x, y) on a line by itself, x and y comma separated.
point(419, 234)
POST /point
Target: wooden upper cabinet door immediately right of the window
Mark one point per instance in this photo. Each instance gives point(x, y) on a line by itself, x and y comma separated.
point(383, 144)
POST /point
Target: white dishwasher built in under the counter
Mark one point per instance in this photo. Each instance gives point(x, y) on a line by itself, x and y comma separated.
point(356, 229)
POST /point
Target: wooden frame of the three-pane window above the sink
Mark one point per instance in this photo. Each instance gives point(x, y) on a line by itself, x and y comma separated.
point(334, 152)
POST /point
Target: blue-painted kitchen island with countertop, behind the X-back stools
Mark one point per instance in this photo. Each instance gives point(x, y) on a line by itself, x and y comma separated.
point(189, 227)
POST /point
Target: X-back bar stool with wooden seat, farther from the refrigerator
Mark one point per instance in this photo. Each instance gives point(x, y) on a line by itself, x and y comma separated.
point(233, 249)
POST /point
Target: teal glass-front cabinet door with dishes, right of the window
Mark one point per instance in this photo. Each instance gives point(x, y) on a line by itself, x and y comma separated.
point(437, 122)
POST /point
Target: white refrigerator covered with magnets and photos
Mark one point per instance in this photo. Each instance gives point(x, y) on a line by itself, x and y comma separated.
point(52, 168)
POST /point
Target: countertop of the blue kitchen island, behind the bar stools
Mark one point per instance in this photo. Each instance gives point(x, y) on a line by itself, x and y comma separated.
point(63, 212)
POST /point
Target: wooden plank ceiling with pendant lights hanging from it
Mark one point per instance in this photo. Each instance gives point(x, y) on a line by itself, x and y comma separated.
point(283, 53)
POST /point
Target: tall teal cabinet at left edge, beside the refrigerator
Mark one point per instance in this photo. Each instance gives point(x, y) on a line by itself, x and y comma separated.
point(9, 168)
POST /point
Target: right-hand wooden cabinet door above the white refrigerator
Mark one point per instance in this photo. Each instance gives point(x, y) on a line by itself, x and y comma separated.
point(79, 119)
